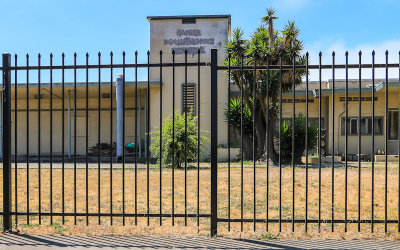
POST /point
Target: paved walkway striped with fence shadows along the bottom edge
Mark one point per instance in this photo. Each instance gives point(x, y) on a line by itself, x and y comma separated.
point(28, 242)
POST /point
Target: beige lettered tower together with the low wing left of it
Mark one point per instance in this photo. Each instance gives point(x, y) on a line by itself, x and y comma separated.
point(167, 33)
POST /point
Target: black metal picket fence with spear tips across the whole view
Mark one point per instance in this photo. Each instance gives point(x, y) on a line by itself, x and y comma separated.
point(279, 204)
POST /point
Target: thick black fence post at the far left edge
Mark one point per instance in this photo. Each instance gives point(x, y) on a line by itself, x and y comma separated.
point(6, 142)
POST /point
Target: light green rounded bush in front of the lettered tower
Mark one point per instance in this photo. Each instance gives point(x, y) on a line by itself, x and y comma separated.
point(178, 145)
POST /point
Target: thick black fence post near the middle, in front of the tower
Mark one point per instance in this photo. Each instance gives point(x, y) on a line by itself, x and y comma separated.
point(214, 142)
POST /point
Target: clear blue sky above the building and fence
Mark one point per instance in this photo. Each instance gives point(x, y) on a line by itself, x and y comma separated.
point(98, 25)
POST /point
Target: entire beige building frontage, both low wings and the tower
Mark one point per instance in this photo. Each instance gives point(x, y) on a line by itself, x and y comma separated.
point(192, 34)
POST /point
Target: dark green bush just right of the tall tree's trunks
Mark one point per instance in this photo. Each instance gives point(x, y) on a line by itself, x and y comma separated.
point(299, 138)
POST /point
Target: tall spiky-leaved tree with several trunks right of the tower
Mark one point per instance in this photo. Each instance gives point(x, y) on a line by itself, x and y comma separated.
point(265, 43)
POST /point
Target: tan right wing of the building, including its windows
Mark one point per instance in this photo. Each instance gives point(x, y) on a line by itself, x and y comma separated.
point(334, 123)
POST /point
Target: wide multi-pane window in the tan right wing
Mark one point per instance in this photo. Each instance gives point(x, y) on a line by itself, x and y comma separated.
point(366, 125)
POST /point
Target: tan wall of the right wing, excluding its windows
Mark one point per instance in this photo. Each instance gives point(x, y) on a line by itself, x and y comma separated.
point(366, 111)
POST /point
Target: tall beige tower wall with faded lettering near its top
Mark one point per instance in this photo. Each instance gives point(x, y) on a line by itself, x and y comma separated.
point(217, 29)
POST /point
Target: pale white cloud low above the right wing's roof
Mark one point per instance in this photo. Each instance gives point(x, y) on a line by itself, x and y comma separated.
point(340, 47)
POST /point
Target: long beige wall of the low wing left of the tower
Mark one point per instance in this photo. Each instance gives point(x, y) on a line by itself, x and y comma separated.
point(105, 122)
